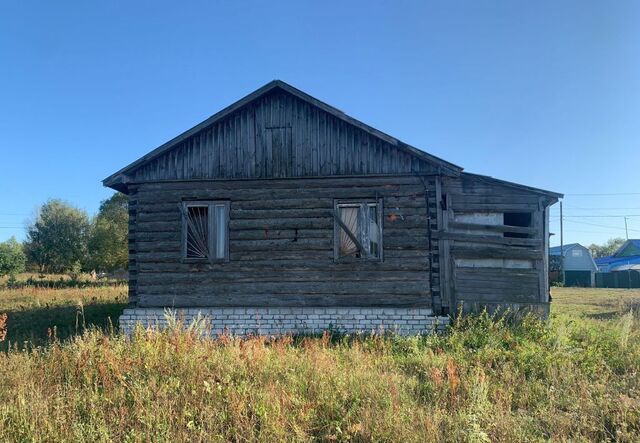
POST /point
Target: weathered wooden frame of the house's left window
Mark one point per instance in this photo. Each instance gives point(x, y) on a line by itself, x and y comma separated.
point(212, 227)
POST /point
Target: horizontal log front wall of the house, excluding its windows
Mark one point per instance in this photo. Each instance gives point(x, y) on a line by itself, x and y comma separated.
point(281, 245)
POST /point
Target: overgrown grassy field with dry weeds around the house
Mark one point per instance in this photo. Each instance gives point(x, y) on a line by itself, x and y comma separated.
point(573, 378)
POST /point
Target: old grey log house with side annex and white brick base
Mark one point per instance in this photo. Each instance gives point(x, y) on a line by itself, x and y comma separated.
point(282, 213)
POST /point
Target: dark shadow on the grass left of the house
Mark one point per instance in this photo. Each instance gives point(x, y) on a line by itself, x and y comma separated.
point(35, 325)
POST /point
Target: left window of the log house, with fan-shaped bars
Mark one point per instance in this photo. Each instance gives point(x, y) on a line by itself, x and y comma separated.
point(205, 231)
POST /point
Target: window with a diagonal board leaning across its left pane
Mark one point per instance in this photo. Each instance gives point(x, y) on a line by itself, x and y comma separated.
point(358, 227)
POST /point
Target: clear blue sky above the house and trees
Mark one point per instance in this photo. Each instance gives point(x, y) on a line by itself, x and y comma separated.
point(544, 93)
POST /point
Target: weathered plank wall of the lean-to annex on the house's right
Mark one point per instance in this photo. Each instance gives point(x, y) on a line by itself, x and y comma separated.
point(482, 267)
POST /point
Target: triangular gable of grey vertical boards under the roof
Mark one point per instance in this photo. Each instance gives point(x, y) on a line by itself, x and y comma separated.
point(276, 136)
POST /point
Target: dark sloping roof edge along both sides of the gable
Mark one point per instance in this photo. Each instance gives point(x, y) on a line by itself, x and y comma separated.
point(118, 177)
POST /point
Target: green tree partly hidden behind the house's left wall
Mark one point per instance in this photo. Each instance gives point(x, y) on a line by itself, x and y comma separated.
point(108, 239)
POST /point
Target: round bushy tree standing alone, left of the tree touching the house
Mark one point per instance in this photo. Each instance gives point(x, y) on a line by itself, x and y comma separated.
point(57, 239)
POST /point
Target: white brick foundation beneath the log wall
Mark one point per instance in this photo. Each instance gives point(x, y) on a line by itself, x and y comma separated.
point(277, 321)
